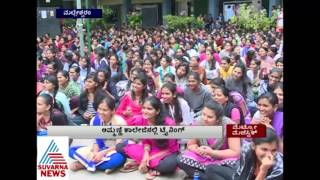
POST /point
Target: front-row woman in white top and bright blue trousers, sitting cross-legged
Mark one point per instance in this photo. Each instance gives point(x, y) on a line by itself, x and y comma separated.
point(103, 155)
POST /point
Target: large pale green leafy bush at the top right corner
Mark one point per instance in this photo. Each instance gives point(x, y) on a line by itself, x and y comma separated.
point(252, 20)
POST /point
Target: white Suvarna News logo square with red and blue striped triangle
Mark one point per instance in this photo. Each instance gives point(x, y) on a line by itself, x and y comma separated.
point(52, 158)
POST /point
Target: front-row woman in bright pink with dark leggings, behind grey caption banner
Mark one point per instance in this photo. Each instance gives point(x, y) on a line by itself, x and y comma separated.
point(152, 156)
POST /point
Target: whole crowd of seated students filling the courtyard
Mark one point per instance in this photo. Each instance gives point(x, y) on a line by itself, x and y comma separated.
point(154, 77)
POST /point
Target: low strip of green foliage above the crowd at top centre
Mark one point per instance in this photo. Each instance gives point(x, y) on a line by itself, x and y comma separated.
point(182, 22)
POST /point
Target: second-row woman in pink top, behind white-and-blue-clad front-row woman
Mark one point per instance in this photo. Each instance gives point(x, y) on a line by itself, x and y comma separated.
point(131, 103)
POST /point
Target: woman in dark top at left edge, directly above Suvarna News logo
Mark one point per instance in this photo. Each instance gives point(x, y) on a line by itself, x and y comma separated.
point(47, 115)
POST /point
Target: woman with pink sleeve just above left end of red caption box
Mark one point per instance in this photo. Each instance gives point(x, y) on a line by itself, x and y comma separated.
point(221, 96)
